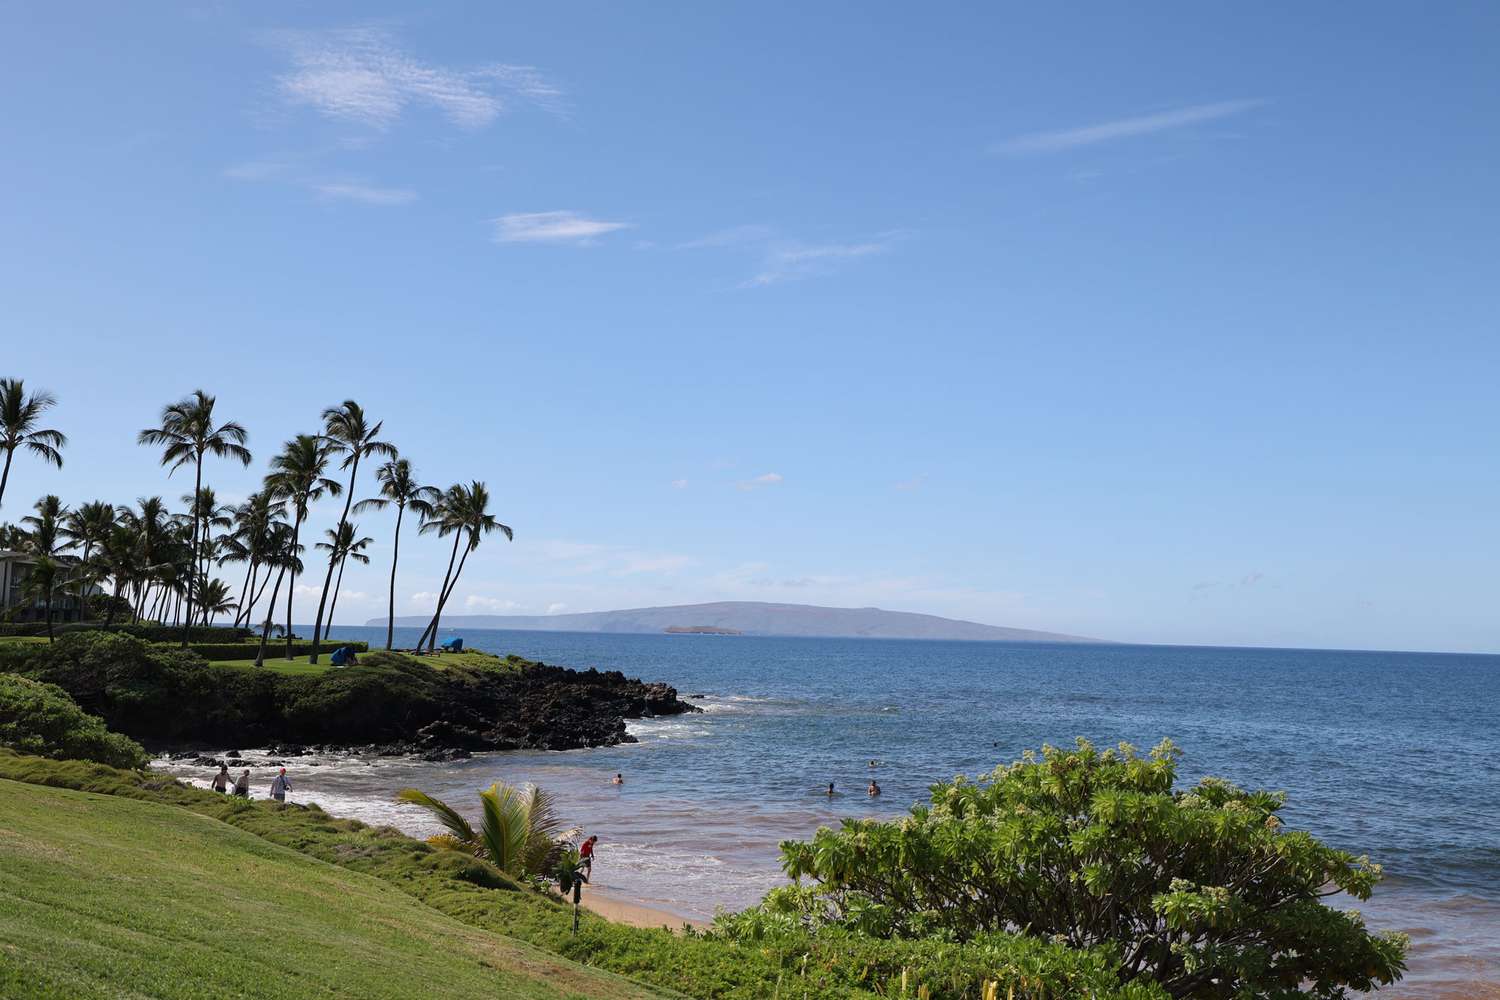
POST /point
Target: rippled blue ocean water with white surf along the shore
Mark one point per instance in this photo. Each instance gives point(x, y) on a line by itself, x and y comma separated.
point(1390, 755)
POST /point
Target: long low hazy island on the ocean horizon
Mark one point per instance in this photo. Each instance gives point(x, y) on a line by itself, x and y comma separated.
point(752, 618)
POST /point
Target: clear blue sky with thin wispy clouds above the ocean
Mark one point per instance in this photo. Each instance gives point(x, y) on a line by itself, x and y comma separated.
point(1171, 325)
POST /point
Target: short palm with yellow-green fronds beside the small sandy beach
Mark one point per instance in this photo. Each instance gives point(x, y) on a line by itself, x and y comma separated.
point(520, 830)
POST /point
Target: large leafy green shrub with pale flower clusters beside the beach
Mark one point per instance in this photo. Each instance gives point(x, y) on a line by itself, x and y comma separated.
point(1202, 891)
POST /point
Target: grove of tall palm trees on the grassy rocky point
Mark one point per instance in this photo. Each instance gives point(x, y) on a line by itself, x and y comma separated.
point(148, 563)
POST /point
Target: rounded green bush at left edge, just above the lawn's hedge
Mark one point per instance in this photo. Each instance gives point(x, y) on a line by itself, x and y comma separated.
point(40, 719)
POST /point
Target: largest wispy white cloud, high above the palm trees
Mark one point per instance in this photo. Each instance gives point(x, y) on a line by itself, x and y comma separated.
point(361, 76)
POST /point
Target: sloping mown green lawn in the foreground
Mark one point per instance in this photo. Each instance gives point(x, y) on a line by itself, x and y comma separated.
point(110, 897)
